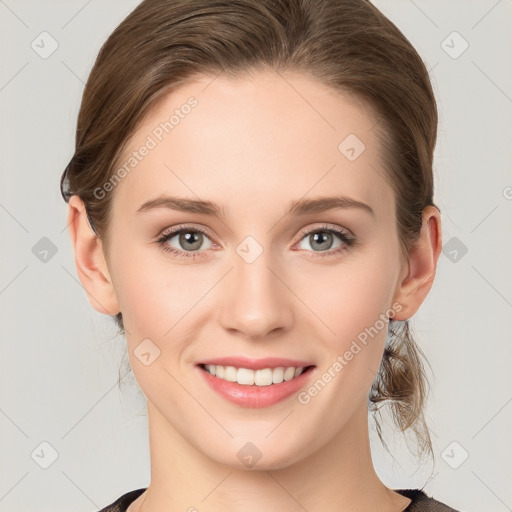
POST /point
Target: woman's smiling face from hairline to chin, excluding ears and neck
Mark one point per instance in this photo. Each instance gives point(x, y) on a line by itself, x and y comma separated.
point(271, 273)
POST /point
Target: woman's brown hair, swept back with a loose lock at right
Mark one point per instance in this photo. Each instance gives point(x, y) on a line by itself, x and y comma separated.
point(346, 44)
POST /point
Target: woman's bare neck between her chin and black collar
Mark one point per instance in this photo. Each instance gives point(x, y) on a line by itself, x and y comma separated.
point(338, 476)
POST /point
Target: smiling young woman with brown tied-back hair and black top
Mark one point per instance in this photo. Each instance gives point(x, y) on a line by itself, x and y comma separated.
point(251, 196)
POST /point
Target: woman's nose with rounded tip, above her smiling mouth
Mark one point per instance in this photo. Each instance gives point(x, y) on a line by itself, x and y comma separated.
point(255, 300)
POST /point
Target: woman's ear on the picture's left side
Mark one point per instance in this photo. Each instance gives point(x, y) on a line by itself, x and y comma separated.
point(90, 261)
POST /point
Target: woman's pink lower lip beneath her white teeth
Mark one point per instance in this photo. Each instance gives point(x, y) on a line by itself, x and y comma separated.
point(255, 396)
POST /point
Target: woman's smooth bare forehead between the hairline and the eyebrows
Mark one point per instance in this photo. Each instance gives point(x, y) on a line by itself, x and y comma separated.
point(256, 141)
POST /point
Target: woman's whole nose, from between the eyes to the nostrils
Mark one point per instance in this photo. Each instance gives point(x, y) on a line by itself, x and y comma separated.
point(255, 300)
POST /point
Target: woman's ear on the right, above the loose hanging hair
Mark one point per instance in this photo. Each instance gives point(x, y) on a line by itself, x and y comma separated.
point(419, 272)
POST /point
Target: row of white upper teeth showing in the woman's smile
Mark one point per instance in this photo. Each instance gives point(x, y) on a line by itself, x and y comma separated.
point(264, 377)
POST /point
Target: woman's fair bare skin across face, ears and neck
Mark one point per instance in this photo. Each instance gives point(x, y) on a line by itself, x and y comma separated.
point(254, 145)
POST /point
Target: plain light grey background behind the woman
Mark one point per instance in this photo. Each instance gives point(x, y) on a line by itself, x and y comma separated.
point(60, 358)
